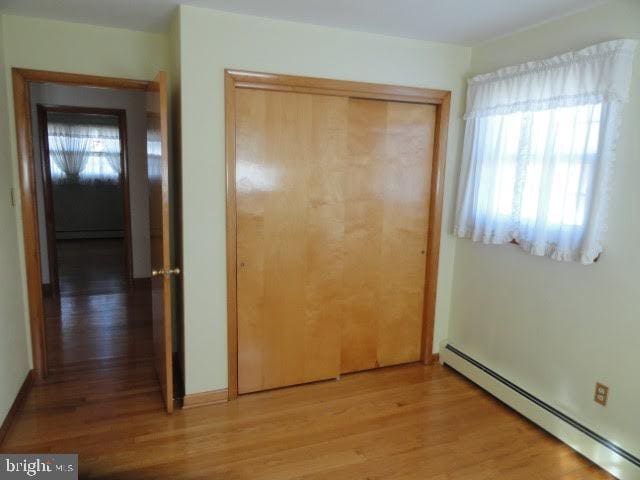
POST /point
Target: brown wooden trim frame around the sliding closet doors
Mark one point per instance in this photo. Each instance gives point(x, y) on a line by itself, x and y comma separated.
point(441, 99)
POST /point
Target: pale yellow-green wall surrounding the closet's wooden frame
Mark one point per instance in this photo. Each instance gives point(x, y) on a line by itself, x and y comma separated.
point(211, 41)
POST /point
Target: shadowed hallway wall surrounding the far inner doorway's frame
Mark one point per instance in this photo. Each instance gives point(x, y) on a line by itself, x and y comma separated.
point(134, 103)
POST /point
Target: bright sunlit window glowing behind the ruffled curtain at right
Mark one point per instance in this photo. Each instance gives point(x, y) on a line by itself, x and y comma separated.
point(524, 154)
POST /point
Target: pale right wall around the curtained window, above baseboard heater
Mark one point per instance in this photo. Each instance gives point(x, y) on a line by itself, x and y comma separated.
point(556, 328)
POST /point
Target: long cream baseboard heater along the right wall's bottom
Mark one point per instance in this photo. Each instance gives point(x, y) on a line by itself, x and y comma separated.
point(600, 450)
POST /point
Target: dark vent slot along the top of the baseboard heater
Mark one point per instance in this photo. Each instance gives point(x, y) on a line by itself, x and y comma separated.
point(557, 413)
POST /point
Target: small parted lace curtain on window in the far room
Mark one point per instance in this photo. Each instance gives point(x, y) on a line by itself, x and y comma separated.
point(81, 152)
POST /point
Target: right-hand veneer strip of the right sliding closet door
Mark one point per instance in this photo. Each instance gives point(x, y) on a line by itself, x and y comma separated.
point(407, 173)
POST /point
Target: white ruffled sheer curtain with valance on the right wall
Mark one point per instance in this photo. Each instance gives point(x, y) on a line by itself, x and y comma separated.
point(538, 149)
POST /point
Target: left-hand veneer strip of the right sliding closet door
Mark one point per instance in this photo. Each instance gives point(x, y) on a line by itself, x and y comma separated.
point(364, 209)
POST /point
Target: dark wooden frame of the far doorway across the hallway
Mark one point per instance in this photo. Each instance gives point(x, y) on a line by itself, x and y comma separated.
point(121, 115)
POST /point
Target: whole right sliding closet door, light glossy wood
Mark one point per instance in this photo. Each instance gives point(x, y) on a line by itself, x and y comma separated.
point(386, 193)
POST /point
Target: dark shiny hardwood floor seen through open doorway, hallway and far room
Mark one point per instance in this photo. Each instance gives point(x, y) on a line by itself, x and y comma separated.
point(98, 316)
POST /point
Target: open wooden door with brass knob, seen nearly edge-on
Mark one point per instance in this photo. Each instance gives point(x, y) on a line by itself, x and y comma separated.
point(159, 223)
